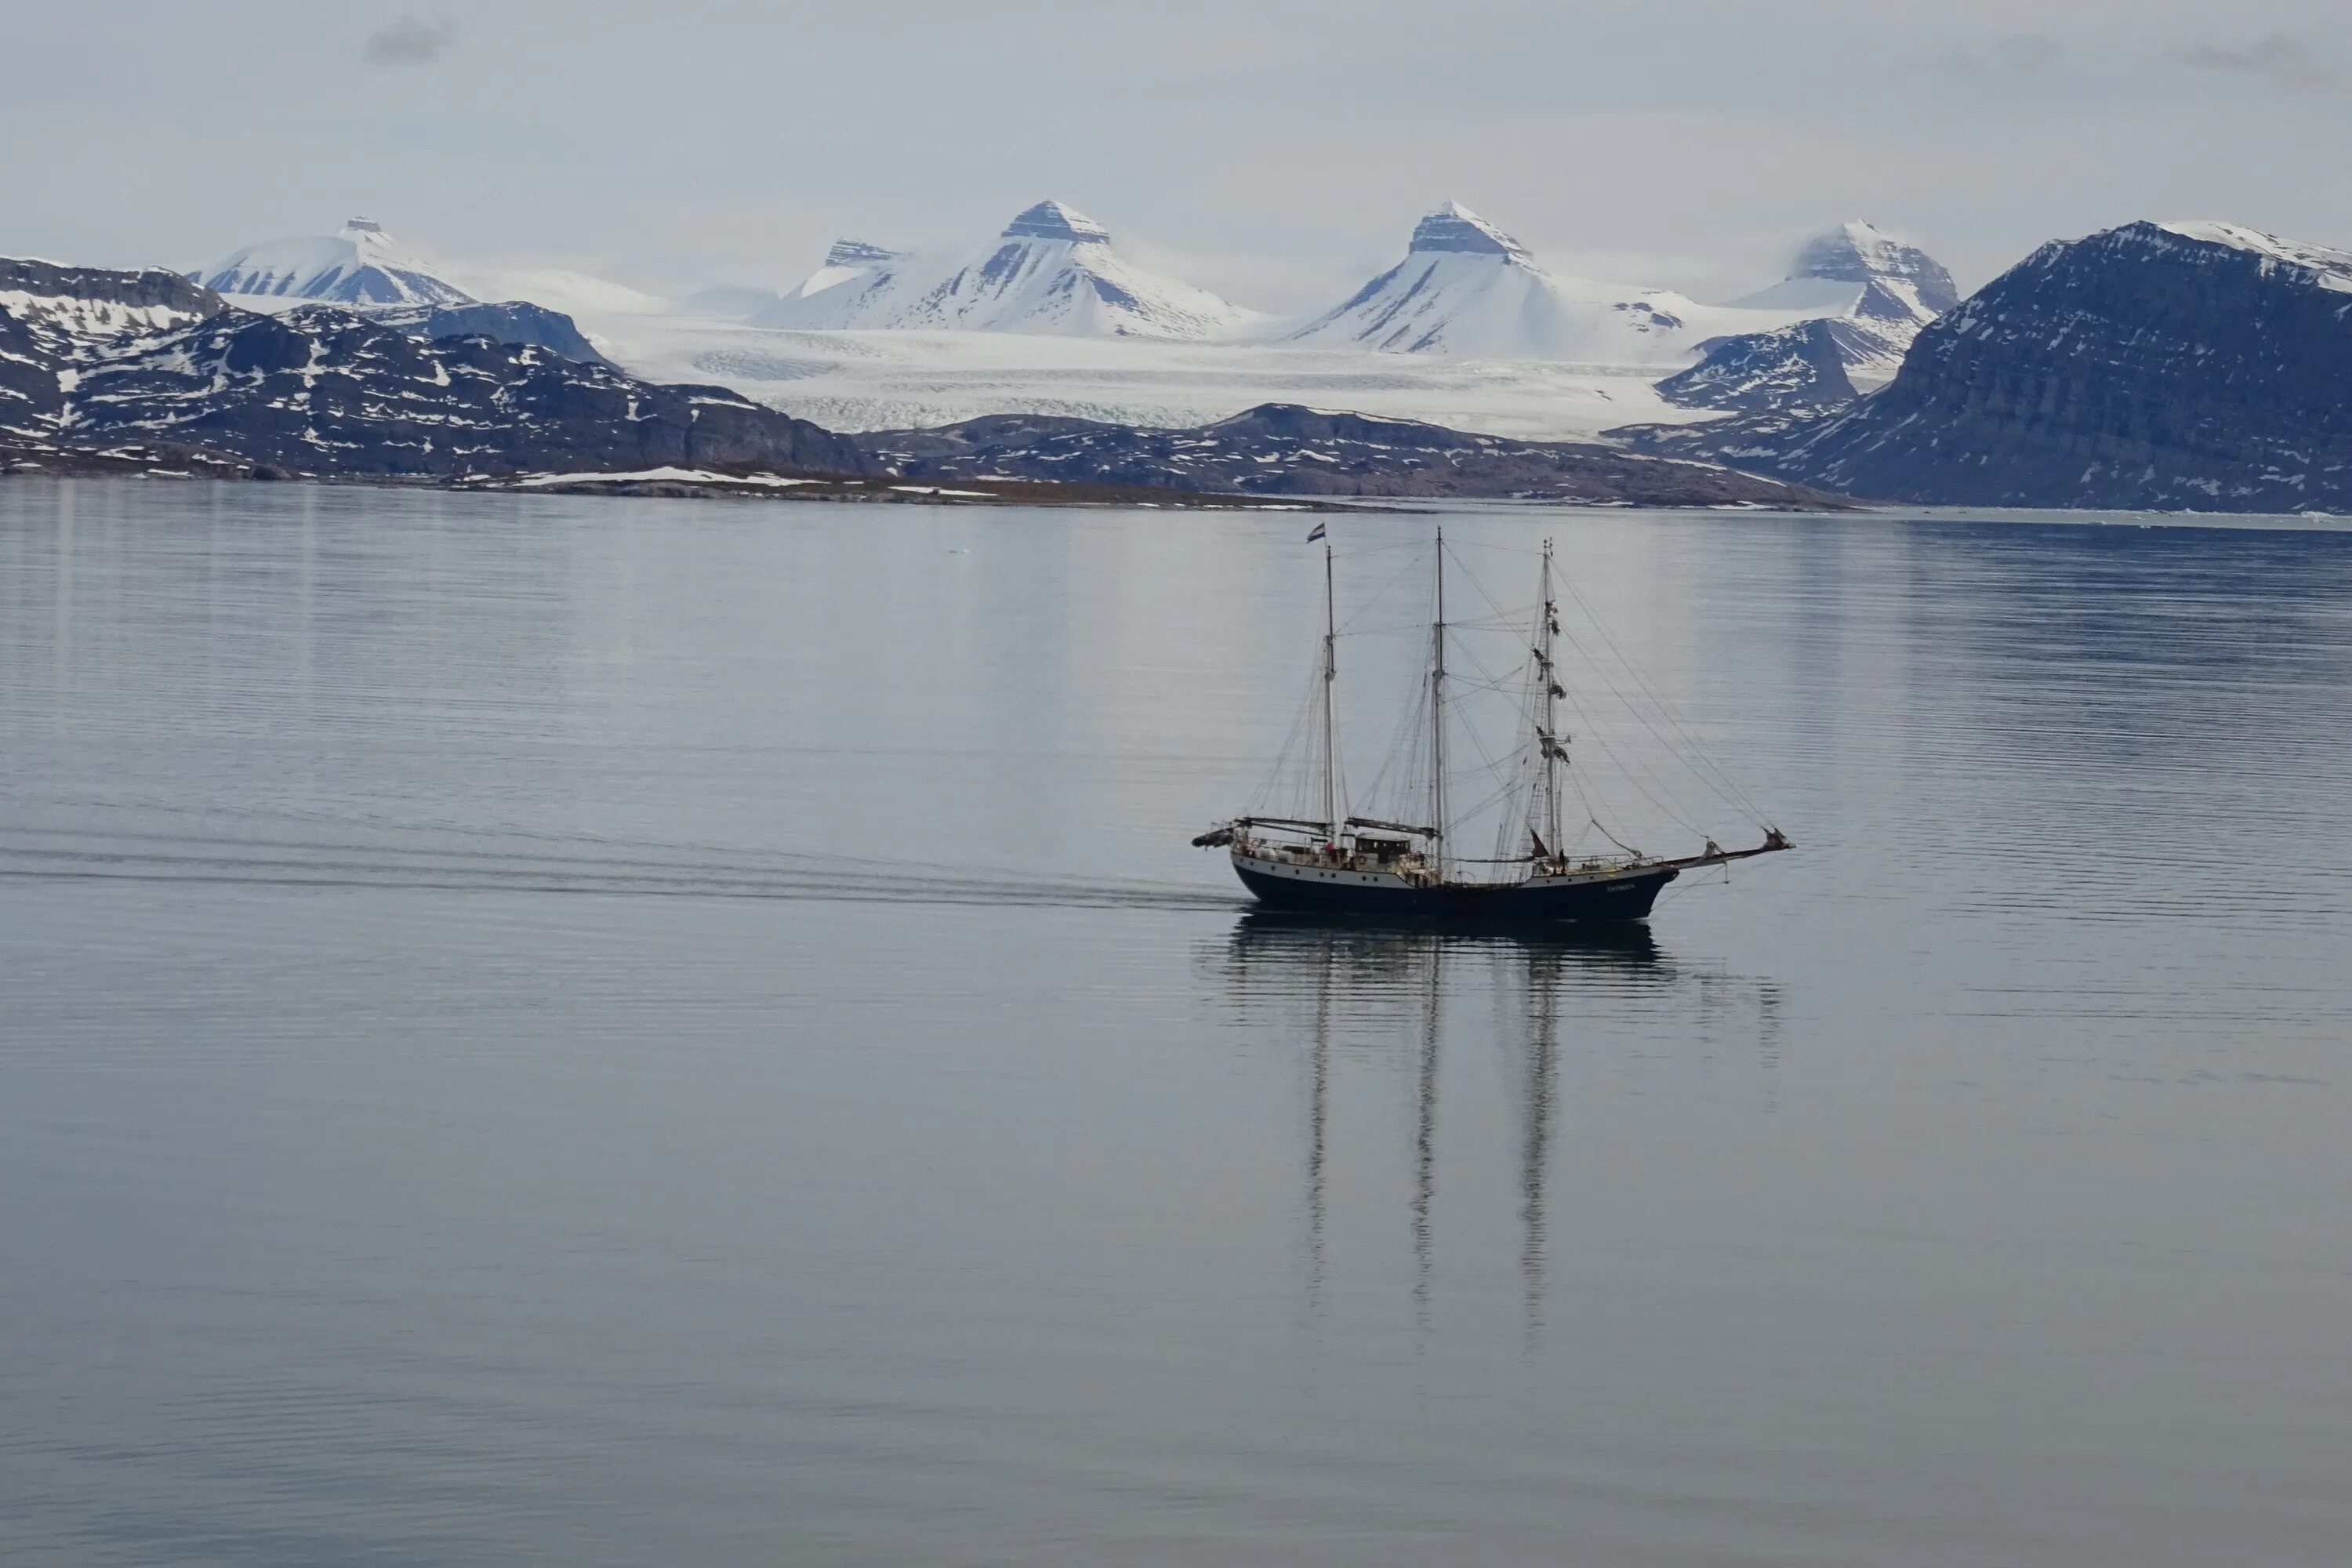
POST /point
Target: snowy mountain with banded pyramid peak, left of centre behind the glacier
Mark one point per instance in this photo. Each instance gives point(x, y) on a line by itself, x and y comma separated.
point(1053, 272)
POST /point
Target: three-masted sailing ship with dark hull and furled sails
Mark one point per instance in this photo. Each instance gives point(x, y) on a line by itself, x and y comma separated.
point(1332, 862)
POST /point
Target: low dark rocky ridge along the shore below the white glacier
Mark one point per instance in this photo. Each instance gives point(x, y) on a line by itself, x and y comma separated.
point(1302, 453)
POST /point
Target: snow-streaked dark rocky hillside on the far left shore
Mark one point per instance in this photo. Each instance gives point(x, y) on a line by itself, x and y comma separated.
point(149, 363)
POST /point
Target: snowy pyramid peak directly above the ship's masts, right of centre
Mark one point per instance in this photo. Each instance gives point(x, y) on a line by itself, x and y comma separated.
point(1466, 288)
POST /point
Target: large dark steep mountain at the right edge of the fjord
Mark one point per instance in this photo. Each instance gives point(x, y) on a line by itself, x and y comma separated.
point(2196, 366)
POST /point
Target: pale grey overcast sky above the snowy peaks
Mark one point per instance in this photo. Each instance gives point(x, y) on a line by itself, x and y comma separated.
point(1276, 152)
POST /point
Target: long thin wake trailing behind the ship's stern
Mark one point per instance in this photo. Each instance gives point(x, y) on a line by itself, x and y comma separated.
point(493, 862)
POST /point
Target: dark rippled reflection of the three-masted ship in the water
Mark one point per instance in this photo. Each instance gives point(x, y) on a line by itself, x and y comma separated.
point(1483, 1026)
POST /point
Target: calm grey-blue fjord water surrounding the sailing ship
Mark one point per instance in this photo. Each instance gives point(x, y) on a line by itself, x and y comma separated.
point(620, 1033)
